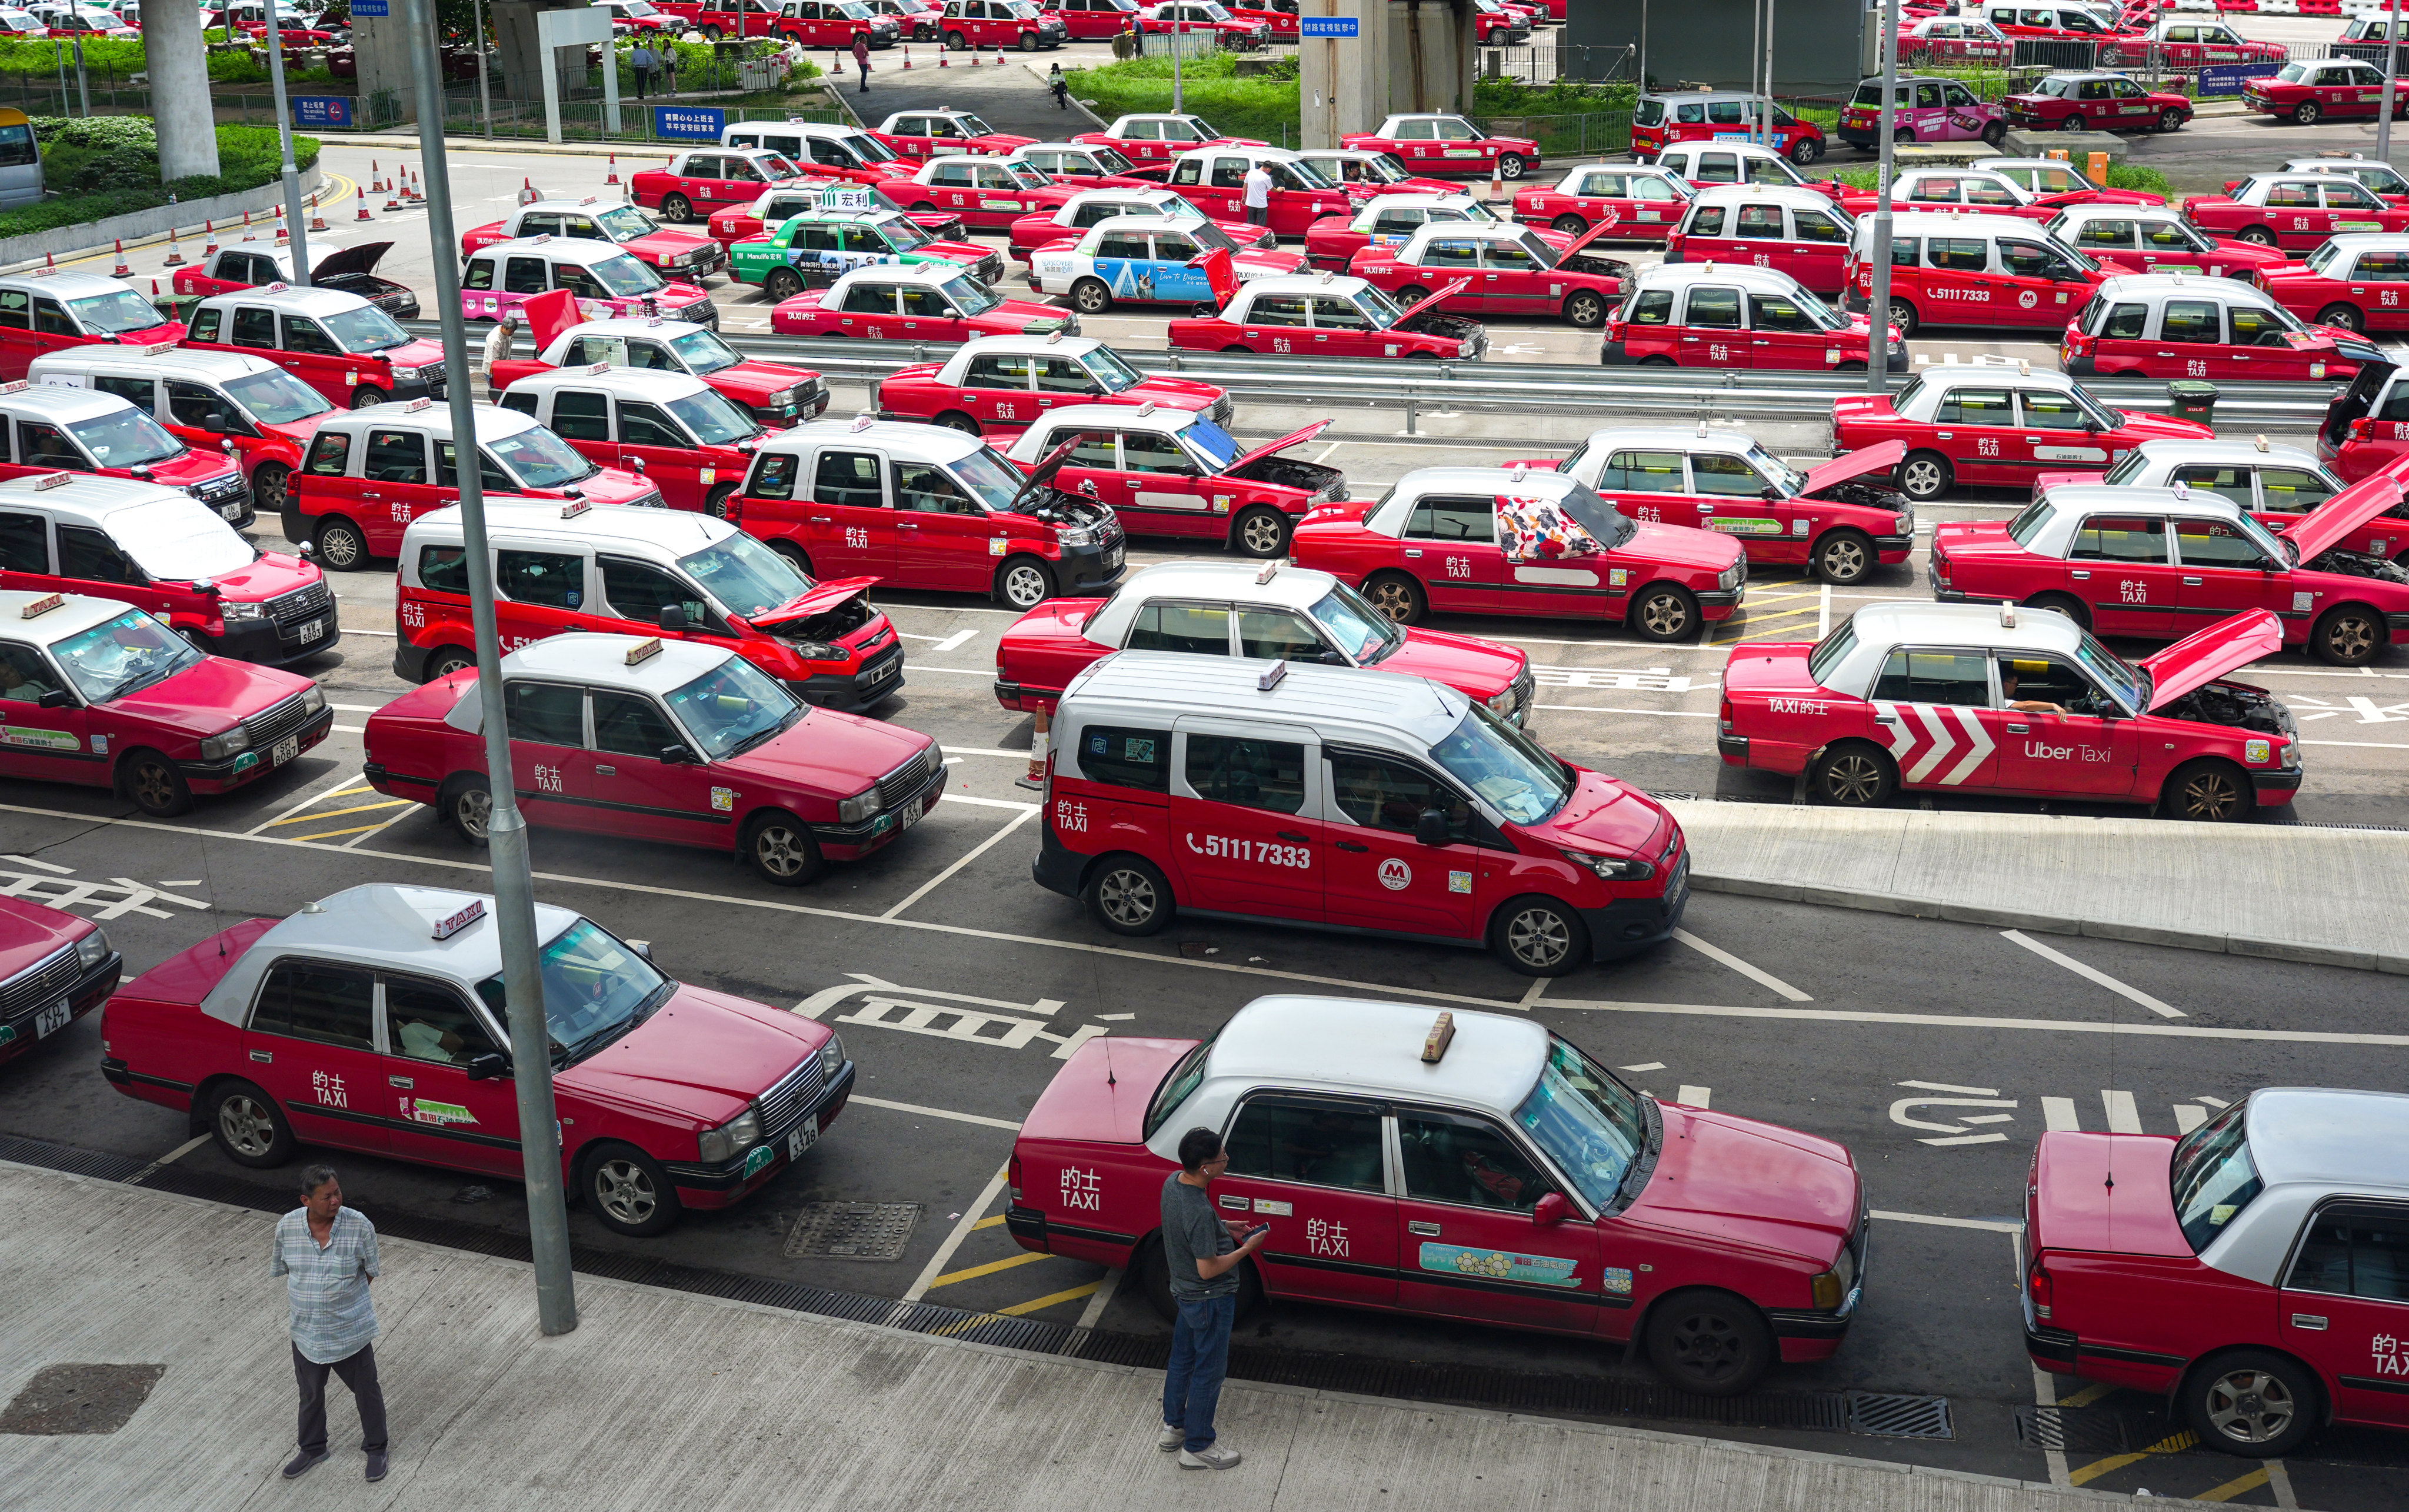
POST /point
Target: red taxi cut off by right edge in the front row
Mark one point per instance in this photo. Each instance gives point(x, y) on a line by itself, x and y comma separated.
point(2249, 1272)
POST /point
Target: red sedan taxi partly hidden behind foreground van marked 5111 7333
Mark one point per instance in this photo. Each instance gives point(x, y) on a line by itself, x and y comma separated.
point(1280, 615)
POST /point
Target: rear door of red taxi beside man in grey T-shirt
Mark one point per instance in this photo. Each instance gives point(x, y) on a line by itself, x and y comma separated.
point(1312, 1167)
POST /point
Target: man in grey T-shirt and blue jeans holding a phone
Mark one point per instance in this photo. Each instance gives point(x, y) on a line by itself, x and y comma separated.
point(1203, 1256)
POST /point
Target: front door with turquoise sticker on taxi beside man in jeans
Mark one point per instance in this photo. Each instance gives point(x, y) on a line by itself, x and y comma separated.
point(1468, 1244)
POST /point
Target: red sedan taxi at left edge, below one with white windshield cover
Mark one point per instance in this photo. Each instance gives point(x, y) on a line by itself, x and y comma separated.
point(107, 697)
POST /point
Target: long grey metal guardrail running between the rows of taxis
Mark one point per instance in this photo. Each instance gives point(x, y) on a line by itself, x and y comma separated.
point(1550, 389)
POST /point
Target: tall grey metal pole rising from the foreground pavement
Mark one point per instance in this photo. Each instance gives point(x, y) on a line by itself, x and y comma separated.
point(507, 829)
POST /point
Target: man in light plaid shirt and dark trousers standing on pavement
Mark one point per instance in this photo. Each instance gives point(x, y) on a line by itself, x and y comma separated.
point(326, 1256)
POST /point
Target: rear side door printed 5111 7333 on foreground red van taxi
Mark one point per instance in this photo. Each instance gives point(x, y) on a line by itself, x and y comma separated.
point(1242, 832)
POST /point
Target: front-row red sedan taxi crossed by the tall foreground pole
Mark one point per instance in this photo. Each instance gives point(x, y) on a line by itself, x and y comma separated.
point(671, 1097)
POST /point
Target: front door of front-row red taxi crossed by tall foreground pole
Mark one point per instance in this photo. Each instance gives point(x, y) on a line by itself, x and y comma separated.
point(435, 1111)
